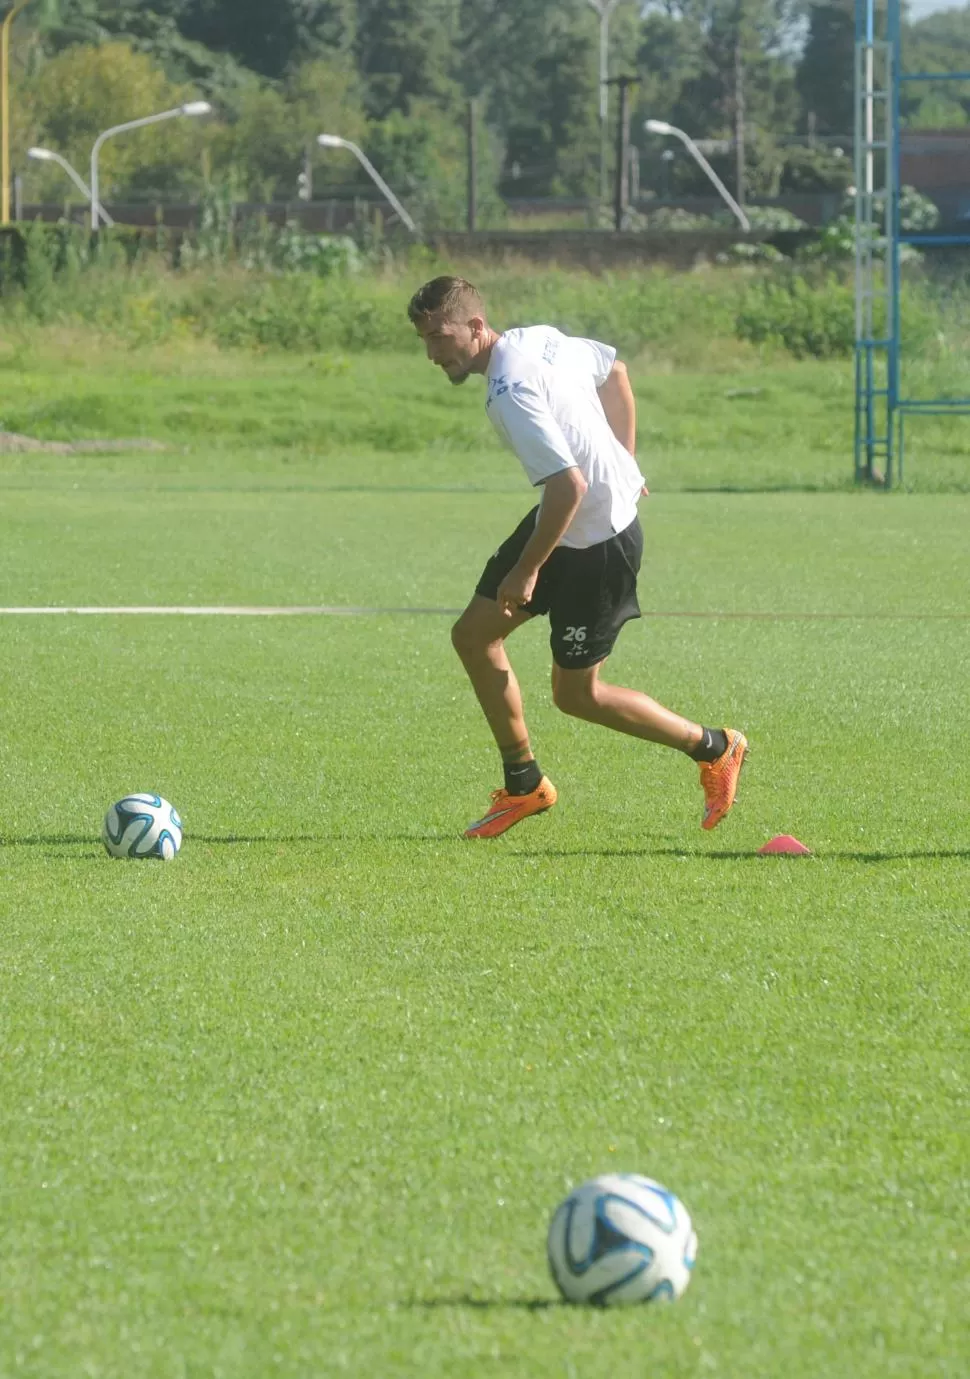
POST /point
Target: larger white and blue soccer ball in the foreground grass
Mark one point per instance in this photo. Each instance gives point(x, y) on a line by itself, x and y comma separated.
point(622, 1239)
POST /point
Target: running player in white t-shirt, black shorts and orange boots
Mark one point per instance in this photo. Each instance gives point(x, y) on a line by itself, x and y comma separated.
point(566, 409)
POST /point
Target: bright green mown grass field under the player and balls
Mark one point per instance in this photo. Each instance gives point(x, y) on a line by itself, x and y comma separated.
point(303, 1101)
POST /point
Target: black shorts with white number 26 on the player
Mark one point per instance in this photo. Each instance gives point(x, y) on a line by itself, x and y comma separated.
point(588, 594)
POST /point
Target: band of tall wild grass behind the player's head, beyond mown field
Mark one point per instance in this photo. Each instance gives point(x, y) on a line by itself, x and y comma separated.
point(678, 319)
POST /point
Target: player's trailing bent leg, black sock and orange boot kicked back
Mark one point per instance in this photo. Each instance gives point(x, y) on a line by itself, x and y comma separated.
point(584, 696)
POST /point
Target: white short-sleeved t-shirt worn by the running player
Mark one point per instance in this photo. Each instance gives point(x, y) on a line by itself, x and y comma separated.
point(543, 402)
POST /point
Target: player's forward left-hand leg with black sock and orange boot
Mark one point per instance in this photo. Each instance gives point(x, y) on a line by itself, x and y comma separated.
point(479, 639)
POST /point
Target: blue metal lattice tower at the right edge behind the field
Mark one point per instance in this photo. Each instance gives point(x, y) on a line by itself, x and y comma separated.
point(881, 401)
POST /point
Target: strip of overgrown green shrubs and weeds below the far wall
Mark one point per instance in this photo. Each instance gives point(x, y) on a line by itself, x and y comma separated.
point(282, 289)
